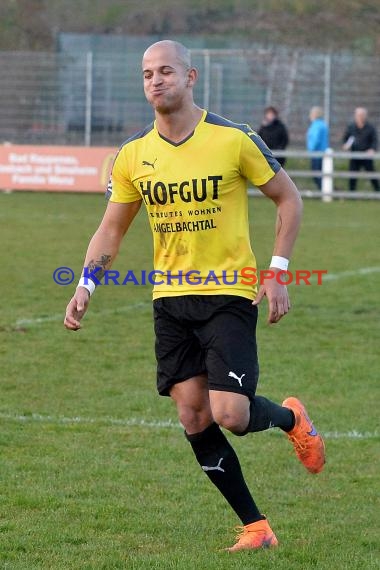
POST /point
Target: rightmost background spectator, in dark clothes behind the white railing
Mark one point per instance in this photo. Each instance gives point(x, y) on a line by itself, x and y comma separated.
point(360, 136)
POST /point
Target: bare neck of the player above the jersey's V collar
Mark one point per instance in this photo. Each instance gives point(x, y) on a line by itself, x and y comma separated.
point(180, 124)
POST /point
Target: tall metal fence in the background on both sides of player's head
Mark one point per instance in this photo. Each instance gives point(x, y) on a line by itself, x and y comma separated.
point(96, 97)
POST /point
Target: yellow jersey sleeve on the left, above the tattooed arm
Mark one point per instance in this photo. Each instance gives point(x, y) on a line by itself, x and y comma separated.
point(120, 188)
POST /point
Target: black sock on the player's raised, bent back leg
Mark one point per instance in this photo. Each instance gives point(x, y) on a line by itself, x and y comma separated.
point(266, 414)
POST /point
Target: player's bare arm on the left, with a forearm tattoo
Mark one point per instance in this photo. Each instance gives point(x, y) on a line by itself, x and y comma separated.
point(101, 252)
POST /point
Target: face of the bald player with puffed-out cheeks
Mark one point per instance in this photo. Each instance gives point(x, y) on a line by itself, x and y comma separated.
point(166, 80)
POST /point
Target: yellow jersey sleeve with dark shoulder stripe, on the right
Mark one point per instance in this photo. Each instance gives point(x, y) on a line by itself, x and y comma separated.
point(257, 163)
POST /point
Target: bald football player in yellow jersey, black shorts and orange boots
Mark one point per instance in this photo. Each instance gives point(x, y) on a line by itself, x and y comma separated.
point(190, 169)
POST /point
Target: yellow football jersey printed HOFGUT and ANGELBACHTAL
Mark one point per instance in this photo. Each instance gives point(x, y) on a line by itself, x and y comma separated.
point(195, 193)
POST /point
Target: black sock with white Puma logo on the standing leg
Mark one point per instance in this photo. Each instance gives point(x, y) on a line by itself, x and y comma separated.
point(220, 463)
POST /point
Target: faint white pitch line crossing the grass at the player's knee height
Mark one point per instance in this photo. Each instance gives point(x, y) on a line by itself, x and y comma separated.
point(152, 424)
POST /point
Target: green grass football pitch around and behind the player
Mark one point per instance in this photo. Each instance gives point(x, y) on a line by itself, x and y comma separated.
point(95, 472)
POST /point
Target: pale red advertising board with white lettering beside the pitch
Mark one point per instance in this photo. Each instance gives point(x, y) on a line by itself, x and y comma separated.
point(55, 168)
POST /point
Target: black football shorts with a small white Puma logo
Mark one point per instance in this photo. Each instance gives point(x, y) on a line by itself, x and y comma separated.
point(206, 334)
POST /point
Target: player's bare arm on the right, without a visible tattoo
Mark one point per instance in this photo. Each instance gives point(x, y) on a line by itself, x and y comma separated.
point(282, 190)
